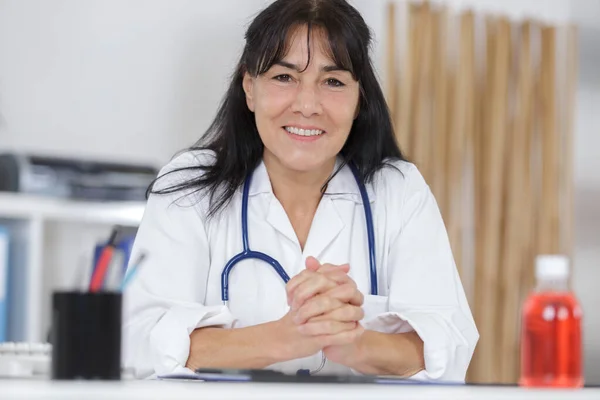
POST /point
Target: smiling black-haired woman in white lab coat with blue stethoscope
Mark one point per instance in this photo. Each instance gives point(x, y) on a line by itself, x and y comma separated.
point(304, 113)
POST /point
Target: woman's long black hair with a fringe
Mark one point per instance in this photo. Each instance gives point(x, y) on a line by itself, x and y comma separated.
point(233, 136)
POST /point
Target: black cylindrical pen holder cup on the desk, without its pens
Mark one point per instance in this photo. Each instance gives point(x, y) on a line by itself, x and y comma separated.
point(86, 335)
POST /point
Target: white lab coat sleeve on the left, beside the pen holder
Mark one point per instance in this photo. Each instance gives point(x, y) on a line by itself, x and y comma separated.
point(164, 302)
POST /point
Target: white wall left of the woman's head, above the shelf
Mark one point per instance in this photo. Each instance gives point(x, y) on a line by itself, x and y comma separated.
point(82, 77)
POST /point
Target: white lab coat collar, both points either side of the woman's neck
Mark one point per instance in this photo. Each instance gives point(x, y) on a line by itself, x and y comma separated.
point(342, 185)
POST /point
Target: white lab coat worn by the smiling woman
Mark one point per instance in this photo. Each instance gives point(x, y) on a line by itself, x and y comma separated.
point(178, 289)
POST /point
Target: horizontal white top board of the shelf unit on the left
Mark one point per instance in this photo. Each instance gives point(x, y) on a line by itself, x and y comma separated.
point(19, 206)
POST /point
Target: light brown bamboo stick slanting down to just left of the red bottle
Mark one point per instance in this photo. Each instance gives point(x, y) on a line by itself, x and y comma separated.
point(518, 200)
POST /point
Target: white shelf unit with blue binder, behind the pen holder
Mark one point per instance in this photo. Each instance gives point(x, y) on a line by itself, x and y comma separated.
point(52, 243)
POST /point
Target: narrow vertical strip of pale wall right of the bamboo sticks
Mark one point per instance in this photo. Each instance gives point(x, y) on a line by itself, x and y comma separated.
point(587, 181)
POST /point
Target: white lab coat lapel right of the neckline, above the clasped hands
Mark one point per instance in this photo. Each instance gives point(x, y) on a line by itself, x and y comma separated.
point(325, 227)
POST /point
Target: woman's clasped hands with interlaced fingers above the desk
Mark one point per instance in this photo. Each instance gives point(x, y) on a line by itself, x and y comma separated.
point(325, 310)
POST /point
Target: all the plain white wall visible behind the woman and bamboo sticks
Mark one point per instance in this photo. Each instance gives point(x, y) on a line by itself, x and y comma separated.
point(83, 76)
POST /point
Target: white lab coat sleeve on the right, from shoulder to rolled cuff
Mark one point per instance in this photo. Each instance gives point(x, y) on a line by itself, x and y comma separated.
point(425, 293)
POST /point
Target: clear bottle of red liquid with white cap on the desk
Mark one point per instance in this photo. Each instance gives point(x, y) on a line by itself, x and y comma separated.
point(551, 349)
